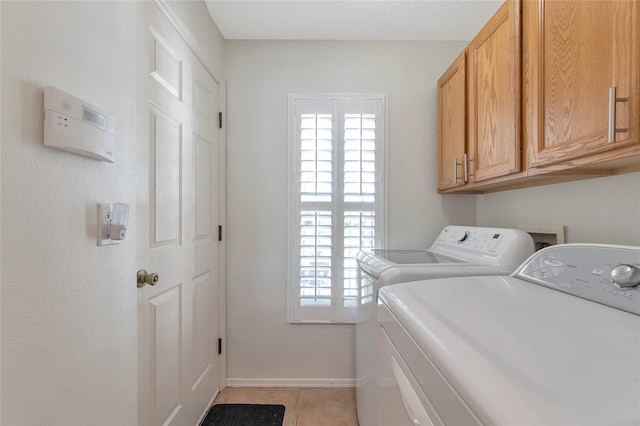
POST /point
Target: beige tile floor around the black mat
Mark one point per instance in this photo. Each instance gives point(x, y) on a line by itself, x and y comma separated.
point(303, 406)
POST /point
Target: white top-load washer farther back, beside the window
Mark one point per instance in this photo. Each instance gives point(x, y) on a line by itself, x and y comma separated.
point(458, 251)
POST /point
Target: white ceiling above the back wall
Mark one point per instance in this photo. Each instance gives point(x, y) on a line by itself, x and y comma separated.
point(351, 19)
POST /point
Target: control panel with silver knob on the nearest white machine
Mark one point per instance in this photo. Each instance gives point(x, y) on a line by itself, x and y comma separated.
point(601, 273)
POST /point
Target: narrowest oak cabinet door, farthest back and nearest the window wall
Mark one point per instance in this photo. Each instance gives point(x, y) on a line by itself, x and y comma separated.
point(452, 123)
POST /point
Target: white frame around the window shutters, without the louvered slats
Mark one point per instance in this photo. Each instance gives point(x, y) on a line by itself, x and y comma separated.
point(336, 313)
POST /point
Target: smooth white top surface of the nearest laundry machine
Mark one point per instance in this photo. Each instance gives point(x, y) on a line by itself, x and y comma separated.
point(520, 353)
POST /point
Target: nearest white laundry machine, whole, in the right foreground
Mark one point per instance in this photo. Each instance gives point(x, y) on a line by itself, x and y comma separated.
point(556, 343)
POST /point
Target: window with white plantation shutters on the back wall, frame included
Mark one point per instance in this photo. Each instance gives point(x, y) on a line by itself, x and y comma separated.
point(336, 146)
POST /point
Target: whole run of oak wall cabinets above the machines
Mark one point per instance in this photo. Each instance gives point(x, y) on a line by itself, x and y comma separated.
point(552, 95)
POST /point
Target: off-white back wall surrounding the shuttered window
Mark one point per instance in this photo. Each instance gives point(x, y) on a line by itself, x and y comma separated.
point(259, 76)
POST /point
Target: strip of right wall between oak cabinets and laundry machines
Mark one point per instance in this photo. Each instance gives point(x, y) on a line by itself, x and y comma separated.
point(600, 210)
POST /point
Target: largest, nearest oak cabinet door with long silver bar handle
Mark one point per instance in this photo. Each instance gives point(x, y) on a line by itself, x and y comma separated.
point(575, 51)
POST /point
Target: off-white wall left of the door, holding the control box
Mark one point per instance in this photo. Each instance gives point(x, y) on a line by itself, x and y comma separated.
point(68, 306)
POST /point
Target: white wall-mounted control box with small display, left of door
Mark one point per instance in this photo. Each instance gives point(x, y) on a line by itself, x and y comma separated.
point(73, 125)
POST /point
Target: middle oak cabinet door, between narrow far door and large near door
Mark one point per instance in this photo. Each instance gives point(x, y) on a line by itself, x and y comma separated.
point(494, 96)
